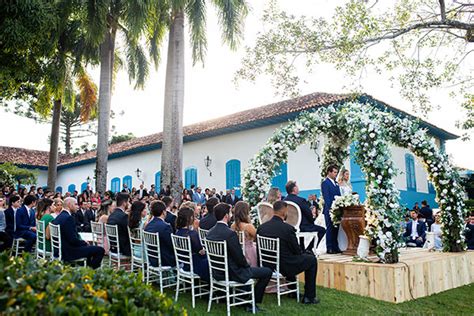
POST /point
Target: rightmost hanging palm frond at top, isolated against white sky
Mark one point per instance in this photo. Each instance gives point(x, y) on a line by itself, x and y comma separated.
point(232, 14)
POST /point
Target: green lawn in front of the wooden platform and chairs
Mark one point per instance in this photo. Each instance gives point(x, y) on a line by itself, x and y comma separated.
point(453, 302)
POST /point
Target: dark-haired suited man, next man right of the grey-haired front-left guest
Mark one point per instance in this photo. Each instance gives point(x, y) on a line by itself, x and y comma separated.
point(120, 218)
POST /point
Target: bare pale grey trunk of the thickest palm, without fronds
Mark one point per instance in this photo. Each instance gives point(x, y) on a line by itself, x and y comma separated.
point(172, 149)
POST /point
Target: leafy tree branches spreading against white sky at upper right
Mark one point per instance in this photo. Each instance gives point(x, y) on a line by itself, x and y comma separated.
point(422, 46)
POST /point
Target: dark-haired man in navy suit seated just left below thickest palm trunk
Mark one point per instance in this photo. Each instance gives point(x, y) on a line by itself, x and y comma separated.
point(164, 230)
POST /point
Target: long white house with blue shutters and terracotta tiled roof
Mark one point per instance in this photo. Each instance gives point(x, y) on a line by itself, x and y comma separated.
point(230, 142)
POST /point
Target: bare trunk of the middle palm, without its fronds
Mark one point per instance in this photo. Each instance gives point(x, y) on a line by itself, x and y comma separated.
point(105, 96)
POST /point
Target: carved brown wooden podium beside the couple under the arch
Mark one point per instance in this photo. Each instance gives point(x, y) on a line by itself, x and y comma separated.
point(353, 223)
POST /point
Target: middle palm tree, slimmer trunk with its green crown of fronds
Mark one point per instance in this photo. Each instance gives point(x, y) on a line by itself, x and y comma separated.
point(104, 19)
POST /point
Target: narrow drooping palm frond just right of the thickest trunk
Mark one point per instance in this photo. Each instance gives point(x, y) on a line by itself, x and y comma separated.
point(196, 14)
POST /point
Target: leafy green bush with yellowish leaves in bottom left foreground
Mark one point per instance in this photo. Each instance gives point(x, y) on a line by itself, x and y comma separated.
point(31, 287)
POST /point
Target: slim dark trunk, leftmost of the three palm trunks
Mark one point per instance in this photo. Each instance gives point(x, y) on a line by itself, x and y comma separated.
point(53, 147)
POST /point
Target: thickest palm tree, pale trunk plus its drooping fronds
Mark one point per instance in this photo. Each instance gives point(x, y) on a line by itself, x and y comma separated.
point(231, 18)
